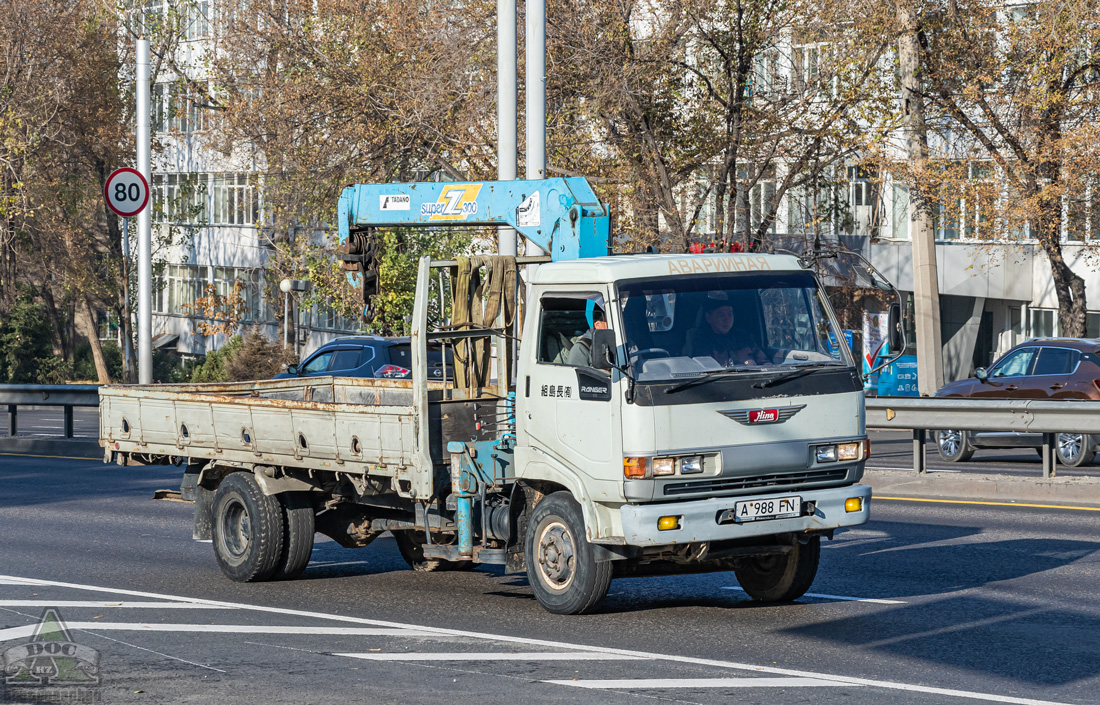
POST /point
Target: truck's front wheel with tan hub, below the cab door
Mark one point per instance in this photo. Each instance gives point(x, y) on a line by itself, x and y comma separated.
point(562, 566)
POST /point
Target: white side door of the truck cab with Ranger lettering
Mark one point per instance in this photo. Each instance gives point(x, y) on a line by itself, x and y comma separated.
point(571, 409)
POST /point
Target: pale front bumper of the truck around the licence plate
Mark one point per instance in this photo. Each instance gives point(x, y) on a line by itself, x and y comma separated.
point(700, 517)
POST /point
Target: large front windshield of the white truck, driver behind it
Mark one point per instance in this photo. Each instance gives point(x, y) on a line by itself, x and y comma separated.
point(685, 327)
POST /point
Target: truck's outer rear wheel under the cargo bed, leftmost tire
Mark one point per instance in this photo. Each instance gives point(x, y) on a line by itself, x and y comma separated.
point(249, 527)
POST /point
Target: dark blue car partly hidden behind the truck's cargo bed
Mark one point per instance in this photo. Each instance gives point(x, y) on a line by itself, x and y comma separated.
point(368, 357)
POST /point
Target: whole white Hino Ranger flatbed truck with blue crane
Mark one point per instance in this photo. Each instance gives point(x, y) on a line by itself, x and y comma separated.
point(610, 417)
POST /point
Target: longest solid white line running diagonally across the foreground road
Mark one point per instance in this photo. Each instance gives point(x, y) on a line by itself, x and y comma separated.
point(565, 645)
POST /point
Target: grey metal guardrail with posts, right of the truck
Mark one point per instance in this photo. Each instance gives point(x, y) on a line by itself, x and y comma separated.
point(1025, 416)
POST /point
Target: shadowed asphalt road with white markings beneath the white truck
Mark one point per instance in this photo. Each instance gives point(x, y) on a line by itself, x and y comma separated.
point(927, 604)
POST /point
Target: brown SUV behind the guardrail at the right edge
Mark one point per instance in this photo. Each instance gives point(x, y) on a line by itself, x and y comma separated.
point(1041, 369)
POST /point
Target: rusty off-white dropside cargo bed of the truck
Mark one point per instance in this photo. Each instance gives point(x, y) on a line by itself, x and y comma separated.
point(338, 424)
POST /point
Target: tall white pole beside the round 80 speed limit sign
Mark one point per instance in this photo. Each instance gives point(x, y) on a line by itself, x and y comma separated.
point(145, 227)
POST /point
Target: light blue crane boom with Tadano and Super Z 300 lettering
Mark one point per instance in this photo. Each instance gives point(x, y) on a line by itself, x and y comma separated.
point(563, 216)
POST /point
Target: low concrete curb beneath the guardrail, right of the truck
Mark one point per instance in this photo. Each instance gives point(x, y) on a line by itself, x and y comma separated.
point(986, 488)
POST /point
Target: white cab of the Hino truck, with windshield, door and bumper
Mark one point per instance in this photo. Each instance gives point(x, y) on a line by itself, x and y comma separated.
point(725, 412)
